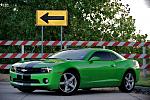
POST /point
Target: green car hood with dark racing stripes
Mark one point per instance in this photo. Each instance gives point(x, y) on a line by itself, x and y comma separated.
point(39, 64)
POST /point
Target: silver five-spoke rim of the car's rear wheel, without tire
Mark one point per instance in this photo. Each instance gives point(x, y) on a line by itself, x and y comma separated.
point(129, 81)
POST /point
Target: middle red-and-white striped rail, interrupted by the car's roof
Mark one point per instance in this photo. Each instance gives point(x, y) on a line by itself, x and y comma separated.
point(45, 55)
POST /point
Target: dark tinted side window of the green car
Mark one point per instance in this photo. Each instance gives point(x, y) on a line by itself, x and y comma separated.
point(106, 56)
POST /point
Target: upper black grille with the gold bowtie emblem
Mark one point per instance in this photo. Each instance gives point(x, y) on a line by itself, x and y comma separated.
point(28, 70)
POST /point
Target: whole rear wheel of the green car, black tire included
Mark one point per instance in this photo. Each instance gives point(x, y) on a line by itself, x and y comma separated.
point(128, 82)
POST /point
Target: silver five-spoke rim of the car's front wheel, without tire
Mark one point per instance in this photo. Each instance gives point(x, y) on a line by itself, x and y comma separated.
point(68, 82)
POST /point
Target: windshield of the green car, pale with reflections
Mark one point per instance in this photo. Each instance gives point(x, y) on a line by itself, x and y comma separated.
point(70, 55)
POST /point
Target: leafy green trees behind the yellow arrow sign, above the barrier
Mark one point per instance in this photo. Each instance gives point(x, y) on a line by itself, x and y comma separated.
point(88, 20)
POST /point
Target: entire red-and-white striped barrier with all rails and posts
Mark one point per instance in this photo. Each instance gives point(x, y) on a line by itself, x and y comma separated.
point(69, 43)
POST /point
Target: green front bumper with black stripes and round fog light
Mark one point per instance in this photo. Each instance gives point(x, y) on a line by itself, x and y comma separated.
point(35, 80)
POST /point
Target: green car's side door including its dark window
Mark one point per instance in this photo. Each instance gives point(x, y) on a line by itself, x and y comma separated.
point(103, 70)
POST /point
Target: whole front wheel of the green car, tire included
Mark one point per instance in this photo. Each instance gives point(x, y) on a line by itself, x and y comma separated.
point(69, 83)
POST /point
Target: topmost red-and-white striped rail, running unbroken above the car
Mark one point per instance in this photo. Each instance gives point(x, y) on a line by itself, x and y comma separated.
point(74, 43)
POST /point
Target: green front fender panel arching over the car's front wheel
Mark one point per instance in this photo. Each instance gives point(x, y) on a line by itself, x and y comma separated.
point(81, 66)
